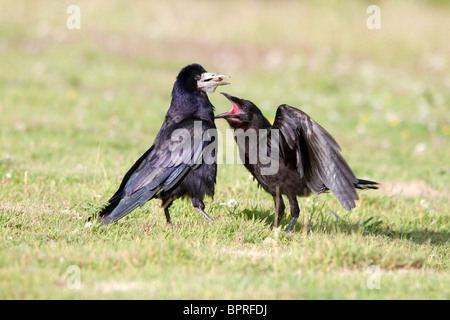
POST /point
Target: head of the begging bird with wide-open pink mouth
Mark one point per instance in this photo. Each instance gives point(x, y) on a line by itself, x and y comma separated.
point(242, 114)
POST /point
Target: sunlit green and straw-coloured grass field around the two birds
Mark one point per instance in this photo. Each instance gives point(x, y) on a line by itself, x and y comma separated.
point(78, 107)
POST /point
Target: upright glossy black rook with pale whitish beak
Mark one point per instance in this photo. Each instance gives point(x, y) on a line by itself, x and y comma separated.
point(173, 166)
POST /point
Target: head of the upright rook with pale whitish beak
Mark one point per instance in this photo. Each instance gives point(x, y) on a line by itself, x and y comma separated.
point(194, 77)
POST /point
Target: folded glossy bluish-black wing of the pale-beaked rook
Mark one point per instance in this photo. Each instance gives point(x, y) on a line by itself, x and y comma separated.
point(176, 151)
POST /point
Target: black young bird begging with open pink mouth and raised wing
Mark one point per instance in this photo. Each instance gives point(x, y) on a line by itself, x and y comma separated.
point(307, 156)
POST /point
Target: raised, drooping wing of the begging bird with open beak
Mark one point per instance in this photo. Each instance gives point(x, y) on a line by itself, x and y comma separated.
point(316, 155)
